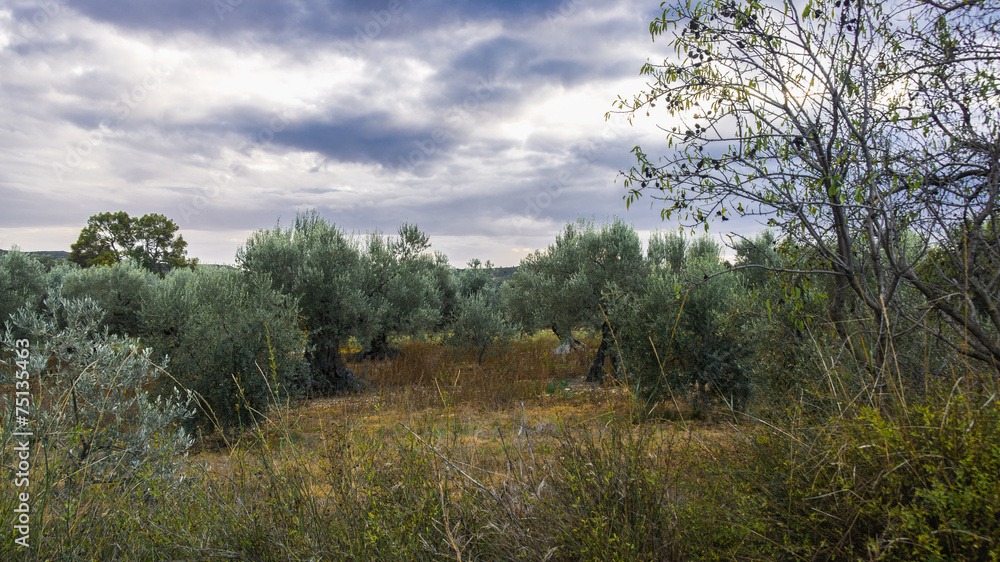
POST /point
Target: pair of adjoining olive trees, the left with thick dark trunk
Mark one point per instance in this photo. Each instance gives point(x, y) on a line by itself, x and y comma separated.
point(344, 289)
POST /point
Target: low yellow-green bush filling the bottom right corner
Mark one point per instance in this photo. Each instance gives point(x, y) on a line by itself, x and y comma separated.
point(916, 484)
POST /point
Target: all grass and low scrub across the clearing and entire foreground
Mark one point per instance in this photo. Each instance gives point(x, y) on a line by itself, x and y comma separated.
point(444, 459)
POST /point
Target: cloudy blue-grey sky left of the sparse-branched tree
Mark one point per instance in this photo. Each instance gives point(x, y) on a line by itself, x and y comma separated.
point(482, 122)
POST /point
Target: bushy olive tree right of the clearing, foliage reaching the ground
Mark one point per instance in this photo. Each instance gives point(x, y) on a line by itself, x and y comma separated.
point(676, 340)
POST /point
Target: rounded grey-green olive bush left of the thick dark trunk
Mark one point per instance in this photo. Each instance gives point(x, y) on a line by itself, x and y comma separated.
point(230, 338)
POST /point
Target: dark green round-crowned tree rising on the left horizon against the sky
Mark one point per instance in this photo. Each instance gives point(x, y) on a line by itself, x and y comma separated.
point(151, 240)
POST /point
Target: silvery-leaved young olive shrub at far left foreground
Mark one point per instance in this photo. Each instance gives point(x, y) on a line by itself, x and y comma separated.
point(95, 420)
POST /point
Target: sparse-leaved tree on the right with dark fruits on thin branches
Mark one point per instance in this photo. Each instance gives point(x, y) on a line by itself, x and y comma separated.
point(866, 135)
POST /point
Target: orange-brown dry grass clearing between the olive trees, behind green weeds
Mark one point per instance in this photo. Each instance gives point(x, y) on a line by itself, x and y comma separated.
point(463, 410)
